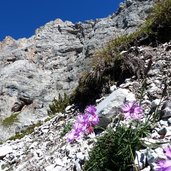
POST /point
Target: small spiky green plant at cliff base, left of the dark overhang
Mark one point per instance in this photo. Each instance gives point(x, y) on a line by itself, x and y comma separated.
point(58, 105)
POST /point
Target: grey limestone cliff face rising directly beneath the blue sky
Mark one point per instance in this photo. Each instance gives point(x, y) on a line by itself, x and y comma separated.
point(33, 71)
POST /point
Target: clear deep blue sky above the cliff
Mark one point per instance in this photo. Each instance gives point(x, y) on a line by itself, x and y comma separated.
point(20, 18)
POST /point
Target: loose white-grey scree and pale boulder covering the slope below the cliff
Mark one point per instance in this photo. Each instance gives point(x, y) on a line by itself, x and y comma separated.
point(46, 150)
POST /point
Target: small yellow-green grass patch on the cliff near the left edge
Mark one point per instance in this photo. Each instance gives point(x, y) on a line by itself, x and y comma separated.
point(10, 120)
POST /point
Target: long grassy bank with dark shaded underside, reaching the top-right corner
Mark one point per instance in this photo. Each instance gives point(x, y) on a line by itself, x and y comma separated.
point(110, 65)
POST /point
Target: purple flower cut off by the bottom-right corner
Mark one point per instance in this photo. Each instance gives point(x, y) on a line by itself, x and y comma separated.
point(165, 165)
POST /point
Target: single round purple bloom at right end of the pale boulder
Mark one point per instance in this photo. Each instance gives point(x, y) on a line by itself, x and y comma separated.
point(132, 110)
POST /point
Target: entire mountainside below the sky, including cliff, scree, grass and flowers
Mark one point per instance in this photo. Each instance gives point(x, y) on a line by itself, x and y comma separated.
point(129, 128)
